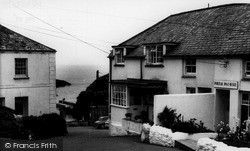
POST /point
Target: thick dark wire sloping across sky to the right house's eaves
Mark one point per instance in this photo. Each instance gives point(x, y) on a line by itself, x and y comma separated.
point(63, 31)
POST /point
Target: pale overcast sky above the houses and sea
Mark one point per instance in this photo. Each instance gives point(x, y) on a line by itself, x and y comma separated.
point(84, 31)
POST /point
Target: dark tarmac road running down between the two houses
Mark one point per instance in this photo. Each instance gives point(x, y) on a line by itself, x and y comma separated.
point(91, 139)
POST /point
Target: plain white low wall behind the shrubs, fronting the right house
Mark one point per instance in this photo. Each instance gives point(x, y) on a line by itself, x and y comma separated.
point(199, 106)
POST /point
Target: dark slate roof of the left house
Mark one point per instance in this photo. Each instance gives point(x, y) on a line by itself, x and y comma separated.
point(12, 41)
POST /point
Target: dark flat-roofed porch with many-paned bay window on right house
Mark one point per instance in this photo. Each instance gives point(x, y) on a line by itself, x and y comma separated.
point(133, 96)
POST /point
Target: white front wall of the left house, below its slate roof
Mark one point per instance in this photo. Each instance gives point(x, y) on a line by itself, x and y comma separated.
point(40, 88)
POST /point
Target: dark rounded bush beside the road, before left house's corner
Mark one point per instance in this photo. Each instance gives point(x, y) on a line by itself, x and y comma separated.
point(44, 126)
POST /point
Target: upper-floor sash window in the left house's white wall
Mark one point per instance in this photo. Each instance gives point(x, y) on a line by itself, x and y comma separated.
point(21, 67)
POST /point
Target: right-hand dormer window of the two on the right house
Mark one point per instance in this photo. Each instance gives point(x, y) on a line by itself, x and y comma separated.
point(154, 54)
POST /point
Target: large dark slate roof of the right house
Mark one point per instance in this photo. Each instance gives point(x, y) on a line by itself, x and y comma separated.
point(220, 30)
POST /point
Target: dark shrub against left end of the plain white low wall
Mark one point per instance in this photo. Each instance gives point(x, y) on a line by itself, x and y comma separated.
point(168, 117)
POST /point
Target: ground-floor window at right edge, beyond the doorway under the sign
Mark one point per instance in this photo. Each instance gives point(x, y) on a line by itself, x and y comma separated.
point(245, 106)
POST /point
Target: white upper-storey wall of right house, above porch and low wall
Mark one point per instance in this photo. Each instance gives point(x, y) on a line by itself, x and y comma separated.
point(172, 72)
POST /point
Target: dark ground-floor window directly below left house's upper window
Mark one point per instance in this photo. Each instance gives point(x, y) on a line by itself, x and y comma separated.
point(21, 105)
